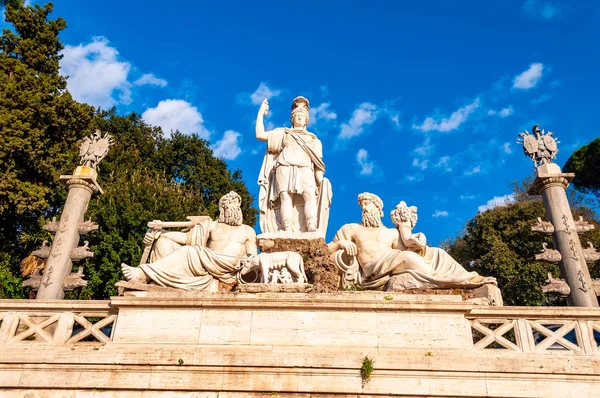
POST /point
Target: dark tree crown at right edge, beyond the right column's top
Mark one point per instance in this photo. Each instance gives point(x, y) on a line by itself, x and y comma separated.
point(585, 163)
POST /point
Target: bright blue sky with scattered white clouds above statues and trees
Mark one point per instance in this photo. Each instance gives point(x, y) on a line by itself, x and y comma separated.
point(417, 101)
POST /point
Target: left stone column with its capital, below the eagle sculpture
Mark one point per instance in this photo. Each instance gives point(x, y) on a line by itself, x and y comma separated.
point(81, 185)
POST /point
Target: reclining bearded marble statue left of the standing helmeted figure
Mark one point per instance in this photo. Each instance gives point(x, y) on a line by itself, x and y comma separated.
point(207, 253)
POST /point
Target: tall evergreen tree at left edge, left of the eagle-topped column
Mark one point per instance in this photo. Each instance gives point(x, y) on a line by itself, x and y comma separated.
point(39, 125)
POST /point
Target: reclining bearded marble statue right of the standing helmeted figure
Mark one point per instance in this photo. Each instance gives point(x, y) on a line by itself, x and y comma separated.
point(369, 254)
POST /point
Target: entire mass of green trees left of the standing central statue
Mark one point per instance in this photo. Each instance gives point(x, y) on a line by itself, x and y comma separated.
point(145, 175)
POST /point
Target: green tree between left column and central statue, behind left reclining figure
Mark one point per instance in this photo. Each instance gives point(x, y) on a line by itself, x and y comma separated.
point(147, 177)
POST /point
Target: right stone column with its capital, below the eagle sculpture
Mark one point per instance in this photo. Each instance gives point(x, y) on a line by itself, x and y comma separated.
point(551, 183)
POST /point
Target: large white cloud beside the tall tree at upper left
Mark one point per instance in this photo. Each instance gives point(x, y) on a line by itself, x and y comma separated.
point(96, 75)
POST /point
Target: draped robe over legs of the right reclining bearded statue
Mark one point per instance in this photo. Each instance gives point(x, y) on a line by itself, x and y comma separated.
point(435, 267)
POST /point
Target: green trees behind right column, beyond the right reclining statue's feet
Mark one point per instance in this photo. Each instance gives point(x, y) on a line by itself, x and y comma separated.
point(500, 243)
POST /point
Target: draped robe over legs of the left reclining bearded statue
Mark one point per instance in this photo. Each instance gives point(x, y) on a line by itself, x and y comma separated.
point(193, 266)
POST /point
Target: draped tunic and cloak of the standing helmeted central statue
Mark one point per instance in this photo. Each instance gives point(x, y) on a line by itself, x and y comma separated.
point(292, 158)
